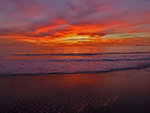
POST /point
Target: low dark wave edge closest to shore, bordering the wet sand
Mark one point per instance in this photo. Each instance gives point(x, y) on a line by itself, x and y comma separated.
point(80, 72)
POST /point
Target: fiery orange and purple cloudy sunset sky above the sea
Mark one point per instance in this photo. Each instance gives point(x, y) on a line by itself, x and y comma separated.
point(58, 22)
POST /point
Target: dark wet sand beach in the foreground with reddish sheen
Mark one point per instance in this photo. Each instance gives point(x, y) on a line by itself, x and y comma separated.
point(114, 92)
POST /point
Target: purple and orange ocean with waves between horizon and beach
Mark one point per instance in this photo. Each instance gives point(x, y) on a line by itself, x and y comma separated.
point(72, 59)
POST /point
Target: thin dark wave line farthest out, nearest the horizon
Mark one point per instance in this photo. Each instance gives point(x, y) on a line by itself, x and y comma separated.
point(80, 54)
